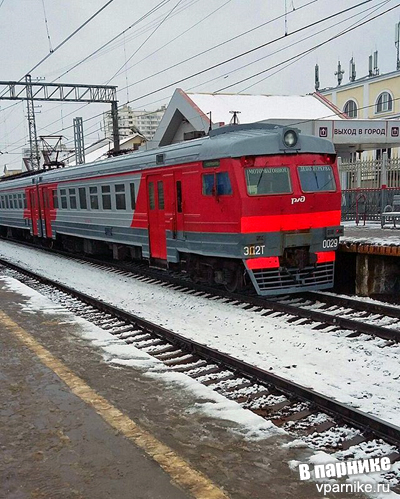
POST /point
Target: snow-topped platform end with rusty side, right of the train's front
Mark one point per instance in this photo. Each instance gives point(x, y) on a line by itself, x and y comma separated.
point(368, 261)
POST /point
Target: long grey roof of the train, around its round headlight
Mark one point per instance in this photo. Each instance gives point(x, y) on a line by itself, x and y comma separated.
point(255, 139)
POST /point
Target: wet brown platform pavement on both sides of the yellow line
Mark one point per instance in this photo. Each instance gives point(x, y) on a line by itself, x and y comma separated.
point(53, 445)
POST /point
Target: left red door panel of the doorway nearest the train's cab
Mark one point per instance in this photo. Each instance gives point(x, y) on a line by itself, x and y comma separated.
point(156, 210)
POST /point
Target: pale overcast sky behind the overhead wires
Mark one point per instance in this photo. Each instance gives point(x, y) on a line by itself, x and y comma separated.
point(24, 42)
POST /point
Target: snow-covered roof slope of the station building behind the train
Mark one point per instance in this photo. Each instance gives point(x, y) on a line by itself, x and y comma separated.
point(262, 107)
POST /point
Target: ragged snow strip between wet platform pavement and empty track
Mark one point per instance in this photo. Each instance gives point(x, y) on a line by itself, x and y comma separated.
point(117, 352)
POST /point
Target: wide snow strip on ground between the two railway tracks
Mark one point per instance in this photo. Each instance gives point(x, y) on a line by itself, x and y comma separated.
point(358, 371)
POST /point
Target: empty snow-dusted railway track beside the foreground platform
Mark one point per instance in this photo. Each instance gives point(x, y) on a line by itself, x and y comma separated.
point(321, 422)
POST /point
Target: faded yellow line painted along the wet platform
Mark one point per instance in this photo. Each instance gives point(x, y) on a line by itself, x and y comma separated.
point(180, 471)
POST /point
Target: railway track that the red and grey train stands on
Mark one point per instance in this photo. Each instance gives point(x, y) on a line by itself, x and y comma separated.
point(318, 310)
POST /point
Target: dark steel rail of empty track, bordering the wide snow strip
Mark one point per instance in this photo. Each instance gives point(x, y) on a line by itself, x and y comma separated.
point(365, 422)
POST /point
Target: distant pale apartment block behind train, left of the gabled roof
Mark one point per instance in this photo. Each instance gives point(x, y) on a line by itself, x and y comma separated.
point(130, 121)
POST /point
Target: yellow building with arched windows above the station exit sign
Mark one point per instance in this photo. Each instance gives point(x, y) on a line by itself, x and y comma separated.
point(371, 97)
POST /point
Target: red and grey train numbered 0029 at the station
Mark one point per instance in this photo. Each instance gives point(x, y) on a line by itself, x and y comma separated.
point(252, 203)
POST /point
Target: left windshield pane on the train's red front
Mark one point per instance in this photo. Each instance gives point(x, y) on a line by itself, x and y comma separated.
point(264, 181)
